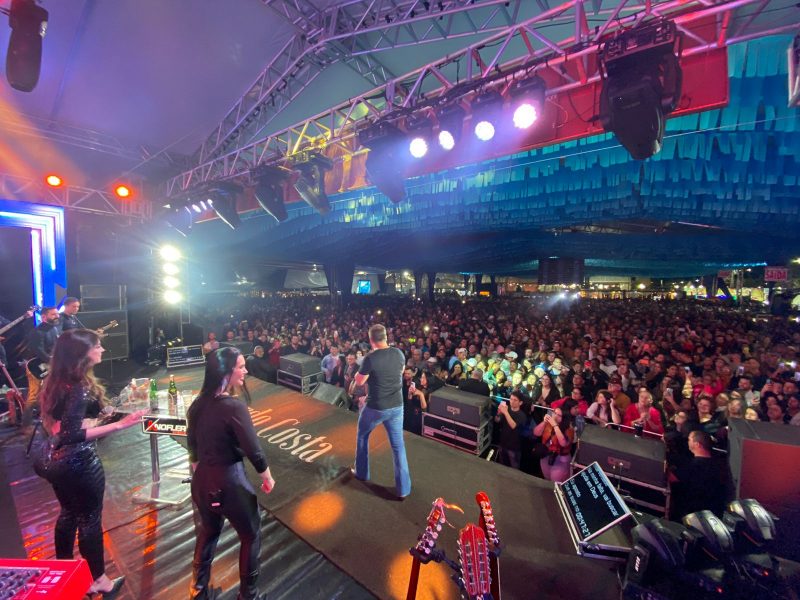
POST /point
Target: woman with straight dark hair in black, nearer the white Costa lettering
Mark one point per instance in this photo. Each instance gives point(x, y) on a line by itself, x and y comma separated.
point(220, 433)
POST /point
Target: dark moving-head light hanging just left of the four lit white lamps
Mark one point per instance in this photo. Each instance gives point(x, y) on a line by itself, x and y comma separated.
point(385, 165)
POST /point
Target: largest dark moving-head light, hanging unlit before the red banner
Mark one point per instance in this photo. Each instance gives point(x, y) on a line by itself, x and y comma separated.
point(642, 79)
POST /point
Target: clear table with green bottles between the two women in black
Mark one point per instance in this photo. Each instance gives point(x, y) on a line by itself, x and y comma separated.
point(166, 415)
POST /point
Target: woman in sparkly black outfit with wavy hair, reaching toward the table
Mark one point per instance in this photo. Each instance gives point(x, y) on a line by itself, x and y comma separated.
point(72, 401)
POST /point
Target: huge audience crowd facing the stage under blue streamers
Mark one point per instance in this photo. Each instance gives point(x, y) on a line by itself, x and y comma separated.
point(661, 369)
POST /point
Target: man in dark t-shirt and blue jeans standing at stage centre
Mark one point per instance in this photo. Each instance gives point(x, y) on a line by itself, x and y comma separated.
point(383, 368)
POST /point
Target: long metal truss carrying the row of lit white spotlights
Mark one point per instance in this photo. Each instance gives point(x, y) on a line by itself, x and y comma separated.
point(490, 59)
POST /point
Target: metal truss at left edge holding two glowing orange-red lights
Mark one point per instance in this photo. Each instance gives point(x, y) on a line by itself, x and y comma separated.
point(73, 197)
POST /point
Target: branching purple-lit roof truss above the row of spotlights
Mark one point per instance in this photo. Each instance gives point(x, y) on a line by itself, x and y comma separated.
point(351, 33)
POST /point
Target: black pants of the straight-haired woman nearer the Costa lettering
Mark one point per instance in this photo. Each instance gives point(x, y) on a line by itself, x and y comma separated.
point(224, 493)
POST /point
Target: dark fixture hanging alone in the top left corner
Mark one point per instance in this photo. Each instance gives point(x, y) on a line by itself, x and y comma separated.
point(24, 59)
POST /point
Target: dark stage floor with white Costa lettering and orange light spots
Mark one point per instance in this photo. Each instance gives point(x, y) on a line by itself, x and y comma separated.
point(317, 511)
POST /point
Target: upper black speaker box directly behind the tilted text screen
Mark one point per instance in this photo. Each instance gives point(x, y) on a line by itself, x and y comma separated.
point(619, 453)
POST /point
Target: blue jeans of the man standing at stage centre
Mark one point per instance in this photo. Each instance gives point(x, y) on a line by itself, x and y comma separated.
point(392, 419)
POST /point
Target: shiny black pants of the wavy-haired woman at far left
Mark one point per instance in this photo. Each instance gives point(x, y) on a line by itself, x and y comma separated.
point(79, 482)
